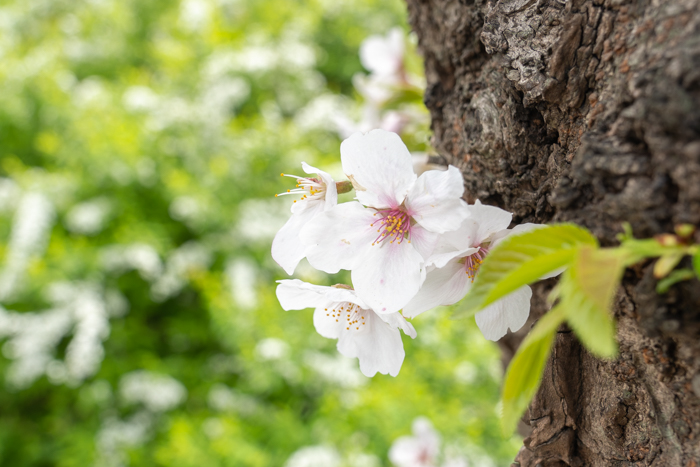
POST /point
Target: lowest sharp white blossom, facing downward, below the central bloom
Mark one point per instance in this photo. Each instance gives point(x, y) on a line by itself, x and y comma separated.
point(340, 314)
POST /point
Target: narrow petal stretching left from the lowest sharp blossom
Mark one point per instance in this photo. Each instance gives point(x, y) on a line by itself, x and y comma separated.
point(294, 294)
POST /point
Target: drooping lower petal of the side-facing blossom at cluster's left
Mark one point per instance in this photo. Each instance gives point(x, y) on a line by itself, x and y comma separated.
point(287, 249)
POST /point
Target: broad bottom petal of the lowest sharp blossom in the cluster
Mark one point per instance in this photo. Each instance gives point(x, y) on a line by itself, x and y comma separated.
point(377, 346)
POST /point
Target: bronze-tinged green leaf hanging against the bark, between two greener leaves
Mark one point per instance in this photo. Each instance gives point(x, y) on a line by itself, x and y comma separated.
point(587, 291)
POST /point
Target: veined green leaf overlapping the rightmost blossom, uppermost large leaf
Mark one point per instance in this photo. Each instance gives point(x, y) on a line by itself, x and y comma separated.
point(523, 259)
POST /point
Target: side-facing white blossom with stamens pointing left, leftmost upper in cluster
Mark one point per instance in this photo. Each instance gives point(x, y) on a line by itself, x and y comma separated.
point(318, 195)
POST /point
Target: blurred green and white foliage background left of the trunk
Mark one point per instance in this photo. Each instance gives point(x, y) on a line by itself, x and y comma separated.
point(141, 143)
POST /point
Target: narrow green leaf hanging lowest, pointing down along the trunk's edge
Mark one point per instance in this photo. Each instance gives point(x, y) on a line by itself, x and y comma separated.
point(525, 370)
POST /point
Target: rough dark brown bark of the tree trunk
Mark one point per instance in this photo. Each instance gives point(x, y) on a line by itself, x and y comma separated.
point(585, 111)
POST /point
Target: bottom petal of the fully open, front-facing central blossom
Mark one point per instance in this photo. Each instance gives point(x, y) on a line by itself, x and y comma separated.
point(388, 276)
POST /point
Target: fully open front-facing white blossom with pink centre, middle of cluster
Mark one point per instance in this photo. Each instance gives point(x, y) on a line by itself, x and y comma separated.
point(385, 244)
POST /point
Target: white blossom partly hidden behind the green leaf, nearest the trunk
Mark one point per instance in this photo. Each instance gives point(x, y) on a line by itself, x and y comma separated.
point(455, 263)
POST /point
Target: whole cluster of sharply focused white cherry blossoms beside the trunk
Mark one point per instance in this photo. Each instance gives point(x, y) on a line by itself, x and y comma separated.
point(410, 243)
